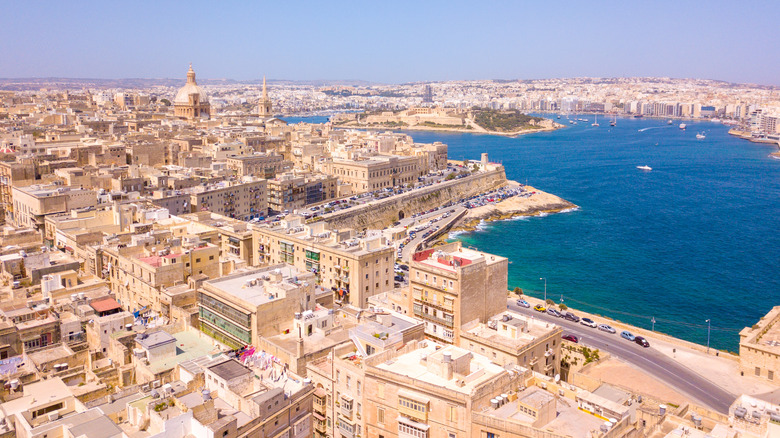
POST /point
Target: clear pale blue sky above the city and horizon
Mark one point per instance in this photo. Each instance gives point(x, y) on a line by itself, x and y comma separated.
point(391, 41)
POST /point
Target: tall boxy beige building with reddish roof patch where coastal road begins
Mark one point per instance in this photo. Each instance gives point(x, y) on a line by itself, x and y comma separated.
point(451, 286)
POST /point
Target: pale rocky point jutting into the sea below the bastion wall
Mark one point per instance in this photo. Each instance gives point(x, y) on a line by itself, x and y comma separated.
point(535, 205)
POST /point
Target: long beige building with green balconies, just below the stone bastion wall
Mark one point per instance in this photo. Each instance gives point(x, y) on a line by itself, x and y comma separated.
point(354, 268)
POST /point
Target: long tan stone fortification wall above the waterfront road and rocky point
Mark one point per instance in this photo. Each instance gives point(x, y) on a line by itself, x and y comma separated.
point(383, 213)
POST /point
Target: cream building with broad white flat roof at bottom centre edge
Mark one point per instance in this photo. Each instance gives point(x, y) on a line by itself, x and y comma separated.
point(430, 392)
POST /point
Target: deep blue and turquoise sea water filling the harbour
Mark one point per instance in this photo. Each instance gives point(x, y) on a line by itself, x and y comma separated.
point(696, 238)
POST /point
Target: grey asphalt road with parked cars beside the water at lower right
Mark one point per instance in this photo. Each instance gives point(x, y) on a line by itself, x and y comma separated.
point(653, 362)
